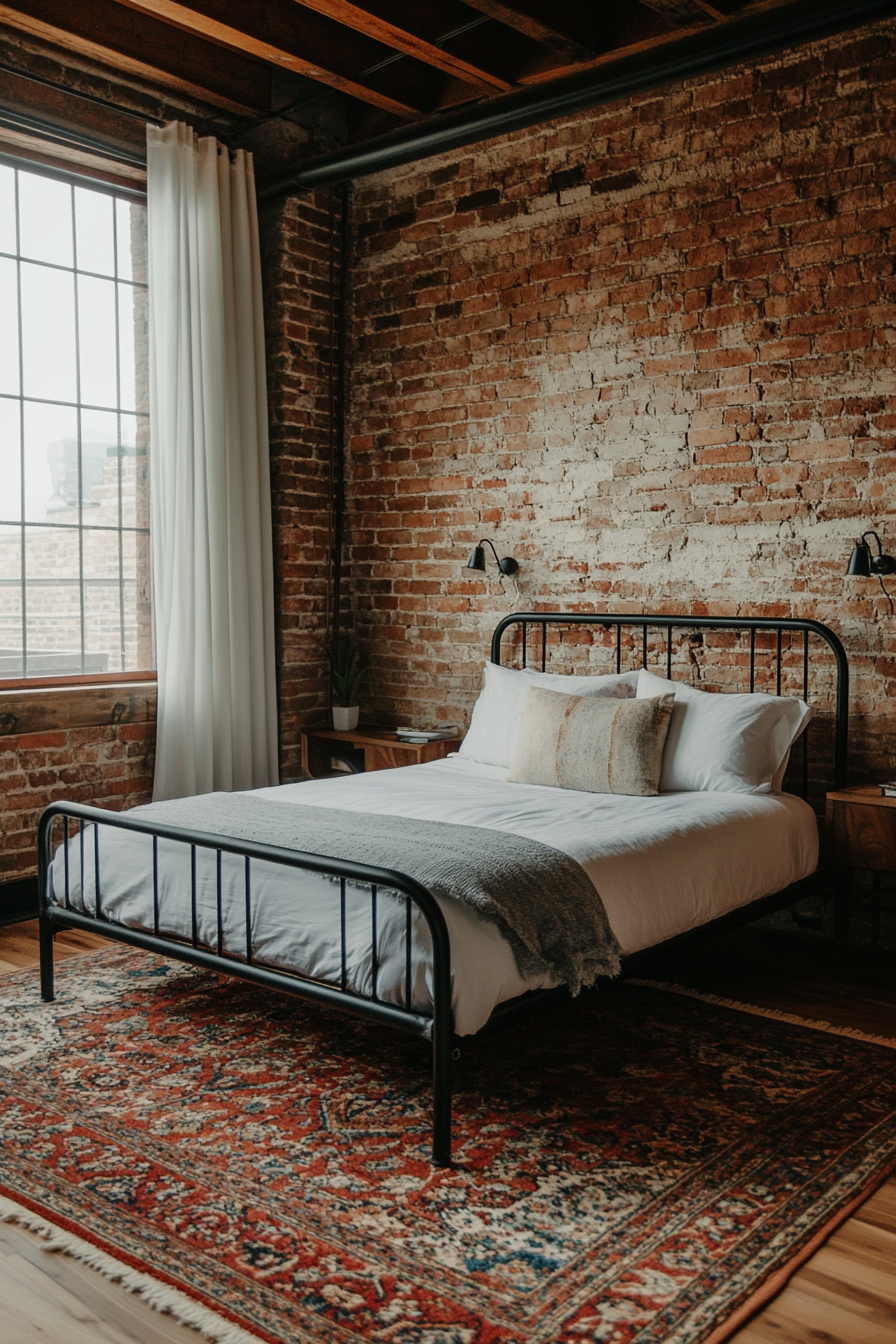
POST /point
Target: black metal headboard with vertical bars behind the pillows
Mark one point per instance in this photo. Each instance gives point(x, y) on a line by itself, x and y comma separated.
point(754, 626)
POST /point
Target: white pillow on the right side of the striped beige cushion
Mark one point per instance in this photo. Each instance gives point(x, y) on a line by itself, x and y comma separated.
point(725, 744)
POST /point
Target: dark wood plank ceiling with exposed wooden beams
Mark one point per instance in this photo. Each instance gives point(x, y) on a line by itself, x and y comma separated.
point(389, 62)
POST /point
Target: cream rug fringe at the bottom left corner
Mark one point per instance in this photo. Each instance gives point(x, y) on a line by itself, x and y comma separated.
point(159, 1296)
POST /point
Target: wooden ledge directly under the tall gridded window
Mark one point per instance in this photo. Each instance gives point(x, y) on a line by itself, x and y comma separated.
point(46, 705)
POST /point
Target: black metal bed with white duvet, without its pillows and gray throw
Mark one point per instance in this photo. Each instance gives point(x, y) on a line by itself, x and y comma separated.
point(373, 940)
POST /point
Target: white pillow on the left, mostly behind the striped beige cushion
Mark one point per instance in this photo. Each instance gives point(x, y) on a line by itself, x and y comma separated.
point(498, 714)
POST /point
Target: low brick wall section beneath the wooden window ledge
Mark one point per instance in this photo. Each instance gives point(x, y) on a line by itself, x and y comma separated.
point(107, 768)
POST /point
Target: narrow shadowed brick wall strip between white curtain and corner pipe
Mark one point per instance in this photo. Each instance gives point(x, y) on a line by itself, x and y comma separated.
point(300, 261)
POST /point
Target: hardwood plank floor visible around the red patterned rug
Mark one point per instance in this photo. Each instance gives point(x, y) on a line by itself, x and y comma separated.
point(844, 1295)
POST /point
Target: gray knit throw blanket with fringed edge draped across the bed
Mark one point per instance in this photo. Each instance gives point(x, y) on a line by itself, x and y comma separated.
point(543, 902)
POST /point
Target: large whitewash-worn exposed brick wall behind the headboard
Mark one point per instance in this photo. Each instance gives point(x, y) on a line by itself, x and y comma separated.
point(649, 350)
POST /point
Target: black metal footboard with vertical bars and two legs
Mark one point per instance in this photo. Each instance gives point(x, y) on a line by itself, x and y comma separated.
point(439, 1029)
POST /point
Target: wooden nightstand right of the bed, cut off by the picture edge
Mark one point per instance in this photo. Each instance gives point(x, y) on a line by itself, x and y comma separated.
point(860, 834)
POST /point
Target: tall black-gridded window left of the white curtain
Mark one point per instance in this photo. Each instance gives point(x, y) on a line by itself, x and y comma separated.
point(75, 510)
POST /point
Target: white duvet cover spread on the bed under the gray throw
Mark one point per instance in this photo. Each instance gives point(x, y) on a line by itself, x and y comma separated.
point(662, 866)
